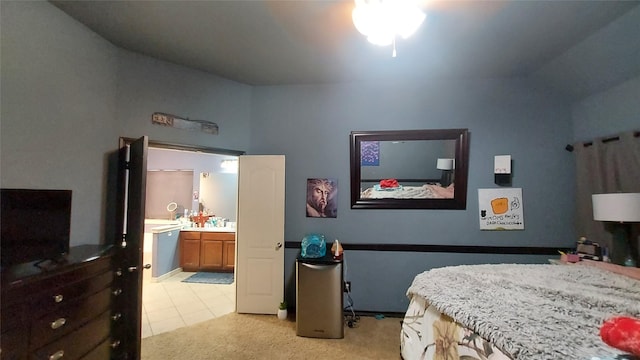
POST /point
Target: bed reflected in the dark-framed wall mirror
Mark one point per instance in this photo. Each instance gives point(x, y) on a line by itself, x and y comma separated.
point(426, 191)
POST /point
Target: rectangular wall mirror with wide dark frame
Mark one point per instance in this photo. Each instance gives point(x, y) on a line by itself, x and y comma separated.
point(409, 169)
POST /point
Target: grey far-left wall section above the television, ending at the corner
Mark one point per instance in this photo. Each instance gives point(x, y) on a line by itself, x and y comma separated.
point(58, 107)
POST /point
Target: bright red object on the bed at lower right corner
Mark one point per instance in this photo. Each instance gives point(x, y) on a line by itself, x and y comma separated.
point(622, 333)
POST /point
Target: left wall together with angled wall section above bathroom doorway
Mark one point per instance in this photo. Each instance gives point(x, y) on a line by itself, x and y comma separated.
point(68, 95)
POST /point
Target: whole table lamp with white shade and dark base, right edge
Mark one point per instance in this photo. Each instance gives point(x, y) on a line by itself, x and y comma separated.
point(621, 209)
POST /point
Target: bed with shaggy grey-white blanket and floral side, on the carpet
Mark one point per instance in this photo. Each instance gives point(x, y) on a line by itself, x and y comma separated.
point(516, 311)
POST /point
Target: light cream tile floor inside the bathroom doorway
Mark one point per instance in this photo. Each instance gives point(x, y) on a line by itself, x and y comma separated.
point(172, 304)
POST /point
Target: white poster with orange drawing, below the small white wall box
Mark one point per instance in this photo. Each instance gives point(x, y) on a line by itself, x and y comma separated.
point(501, 209)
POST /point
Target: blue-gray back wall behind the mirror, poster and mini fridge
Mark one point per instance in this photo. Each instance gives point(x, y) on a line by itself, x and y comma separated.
point(311, 125)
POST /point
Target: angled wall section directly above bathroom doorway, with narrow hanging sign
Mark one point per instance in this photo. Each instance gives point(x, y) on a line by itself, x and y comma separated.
point(147, 85)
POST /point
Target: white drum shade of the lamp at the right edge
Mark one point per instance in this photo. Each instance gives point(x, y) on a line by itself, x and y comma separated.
point(619, 207)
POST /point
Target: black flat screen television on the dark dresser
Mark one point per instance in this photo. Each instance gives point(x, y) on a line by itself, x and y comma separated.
point(35, 225)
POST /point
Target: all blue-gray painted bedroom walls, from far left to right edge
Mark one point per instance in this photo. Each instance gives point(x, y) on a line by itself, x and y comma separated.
point(67, 95)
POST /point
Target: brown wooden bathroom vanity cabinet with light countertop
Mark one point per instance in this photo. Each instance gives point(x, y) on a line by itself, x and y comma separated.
point(207, 249)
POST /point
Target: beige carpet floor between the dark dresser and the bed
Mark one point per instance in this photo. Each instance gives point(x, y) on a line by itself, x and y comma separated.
point(244, 336)
